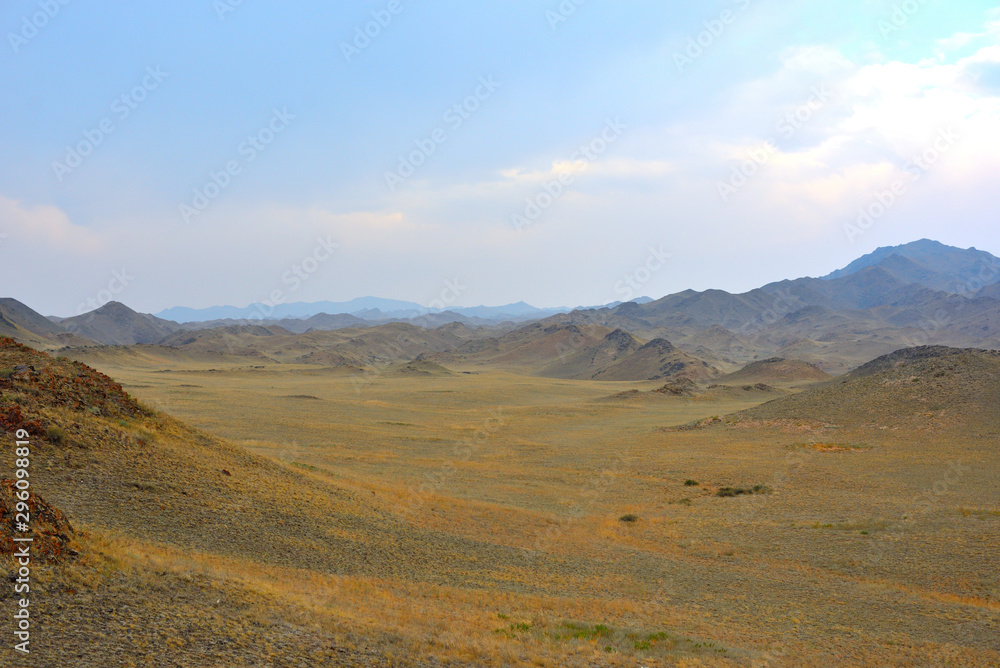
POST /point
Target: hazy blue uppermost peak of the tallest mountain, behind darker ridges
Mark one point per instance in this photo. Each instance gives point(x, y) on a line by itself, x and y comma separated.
point(932, 264)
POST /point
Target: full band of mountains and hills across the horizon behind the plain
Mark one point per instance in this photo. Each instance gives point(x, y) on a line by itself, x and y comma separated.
point(919, 293)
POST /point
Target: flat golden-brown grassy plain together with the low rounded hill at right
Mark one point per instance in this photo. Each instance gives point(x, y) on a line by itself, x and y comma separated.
point(505, 519)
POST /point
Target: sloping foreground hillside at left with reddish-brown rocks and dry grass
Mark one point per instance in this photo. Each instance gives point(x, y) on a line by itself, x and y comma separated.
point(152, 493)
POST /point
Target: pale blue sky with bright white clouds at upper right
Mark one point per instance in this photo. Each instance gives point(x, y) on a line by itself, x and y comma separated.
point(560, 152)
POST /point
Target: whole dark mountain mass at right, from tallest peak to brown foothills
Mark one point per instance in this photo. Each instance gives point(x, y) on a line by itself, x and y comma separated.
point(881, 303)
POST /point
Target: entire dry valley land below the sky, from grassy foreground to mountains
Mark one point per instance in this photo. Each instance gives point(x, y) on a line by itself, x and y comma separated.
point(636, 485)
